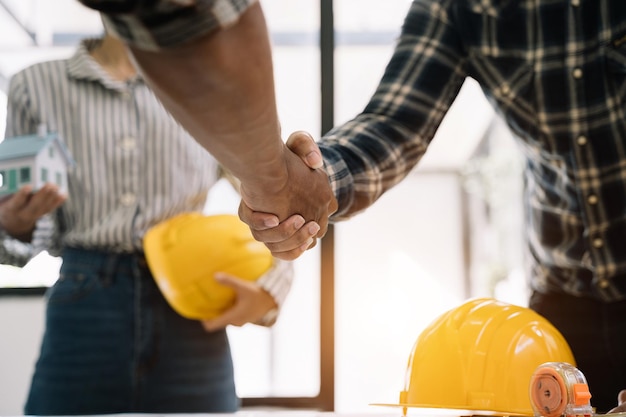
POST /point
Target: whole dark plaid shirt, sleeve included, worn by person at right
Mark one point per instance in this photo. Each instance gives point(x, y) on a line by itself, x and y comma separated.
point(556, 71)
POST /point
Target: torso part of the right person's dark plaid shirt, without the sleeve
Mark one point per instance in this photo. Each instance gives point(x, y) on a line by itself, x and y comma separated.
point(556, 70)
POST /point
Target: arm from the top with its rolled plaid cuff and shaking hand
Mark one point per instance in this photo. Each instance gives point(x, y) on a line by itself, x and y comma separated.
point(209, 62)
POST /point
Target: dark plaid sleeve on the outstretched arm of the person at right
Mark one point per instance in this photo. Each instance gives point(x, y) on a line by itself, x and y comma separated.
point(371, 153)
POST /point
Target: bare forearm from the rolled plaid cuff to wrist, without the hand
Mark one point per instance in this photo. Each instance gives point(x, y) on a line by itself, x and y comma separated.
point(220, 88)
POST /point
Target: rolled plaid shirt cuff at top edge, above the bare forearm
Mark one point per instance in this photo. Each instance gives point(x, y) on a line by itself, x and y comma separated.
point(154, 25)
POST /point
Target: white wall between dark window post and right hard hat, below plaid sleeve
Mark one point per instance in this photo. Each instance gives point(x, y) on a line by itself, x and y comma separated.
point(398, 266)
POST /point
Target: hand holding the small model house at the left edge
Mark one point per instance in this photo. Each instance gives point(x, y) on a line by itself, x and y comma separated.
point(20, 212)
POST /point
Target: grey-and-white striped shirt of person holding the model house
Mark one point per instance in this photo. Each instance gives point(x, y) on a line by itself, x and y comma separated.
point(135, 166)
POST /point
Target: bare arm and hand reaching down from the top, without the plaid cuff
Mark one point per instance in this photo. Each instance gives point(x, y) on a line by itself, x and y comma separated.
point(220, 88)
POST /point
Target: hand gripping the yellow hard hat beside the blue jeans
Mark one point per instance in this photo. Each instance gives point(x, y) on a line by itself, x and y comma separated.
point(251, 304)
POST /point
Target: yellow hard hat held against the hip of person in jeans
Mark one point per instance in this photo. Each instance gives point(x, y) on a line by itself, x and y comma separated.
point(185, 251)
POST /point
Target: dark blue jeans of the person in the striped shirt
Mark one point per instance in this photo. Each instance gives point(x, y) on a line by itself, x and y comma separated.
point(112, 344)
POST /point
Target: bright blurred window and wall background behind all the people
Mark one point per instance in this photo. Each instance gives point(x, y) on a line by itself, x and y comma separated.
point(450, 231)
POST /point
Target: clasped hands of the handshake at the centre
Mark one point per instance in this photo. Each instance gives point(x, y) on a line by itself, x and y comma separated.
point(305, 202)
